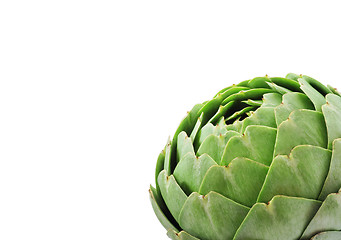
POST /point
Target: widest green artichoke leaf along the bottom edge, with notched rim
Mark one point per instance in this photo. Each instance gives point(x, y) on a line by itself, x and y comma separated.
point(282, 218)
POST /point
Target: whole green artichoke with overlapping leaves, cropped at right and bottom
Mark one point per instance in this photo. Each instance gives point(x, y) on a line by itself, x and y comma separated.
point(261, 160)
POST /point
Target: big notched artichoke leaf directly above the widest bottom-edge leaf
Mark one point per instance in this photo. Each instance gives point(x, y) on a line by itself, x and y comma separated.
point(300, 175)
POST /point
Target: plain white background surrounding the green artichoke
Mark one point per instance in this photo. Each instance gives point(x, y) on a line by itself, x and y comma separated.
point(91, 90)
